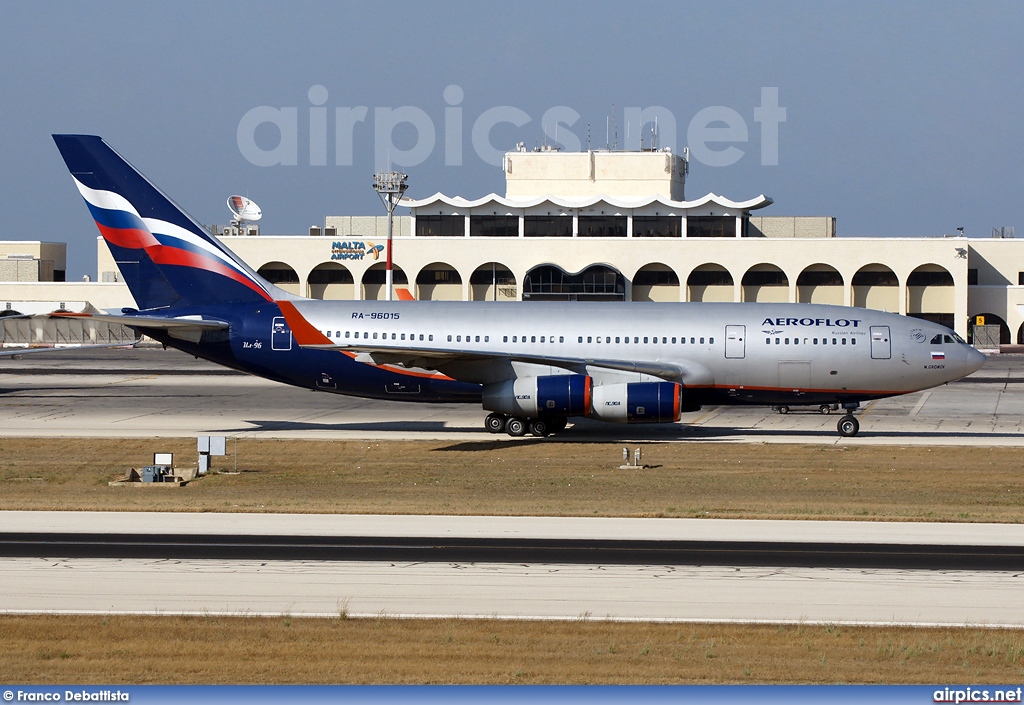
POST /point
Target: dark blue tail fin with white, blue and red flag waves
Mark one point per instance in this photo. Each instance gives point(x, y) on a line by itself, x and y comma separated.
point(164, 256)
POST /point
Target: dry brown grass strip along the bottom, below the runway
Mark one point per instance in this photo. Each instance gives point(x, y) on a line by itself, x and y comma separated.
point(250, 650)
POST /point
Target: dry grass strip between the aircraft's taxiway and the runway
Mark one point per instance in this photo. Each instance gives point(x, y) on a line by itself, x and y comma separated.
point(530, 477)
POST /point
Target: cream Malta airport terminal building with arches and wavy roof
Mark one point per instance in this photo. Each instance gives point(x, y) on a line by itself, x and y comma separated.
point(593, 226)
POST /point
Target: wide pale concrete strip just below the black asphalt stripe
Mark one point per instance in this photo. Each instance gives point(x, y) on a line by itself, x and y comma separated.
point(509, 591)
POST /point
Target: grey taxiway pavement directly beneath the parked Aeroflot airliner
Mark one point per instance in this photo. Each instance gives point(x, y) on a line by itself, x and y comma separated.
point(157, 393)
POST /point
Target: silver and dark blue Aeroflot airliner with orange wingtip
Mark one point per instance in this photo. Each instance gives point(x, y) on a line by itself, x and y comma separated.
point(533, 365)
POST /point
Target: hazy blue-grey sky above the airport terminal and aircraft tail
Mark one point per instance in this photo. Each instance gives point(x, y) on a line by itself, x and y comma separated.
point(902, 119)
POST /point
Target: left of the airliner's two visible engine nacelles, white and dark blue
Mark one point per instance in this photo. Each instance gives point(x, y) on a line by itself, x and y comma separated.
point(533, 397)
